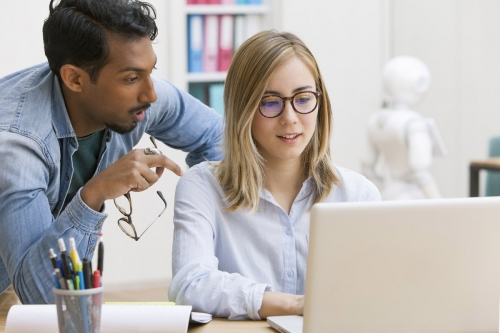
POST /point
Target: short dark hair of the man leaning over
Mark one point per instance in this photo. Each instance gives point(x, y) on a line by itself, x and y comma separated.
point(75, 31)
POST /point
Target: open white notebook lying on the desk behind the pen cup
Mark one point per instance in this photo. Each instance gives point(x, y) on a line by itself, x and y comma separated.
point(126, 318)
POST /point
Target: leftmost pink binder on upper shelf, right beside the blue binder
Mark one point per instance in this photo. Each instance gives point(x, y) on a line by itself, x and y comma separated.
point(211, 43)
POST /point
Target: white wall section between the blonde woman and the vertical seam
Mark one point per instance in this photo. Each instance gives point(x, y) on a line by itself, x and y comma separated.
point(347, 40)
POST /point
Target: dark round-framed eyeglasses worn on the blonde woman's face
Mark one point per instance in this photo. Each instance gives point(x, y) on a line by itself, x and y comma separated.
point(303, 102)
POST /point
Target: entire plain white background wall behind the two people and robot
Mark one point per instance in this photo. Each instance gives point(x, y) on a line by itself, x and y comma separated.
point(458, 39)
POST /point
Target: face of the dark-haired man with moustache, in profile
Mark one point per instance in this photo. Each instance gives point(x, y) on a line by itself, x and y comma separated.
point(124, 89)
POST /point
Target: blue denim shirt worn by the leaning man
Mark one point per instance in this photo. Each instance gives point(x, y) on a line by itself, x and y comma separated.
point(36, 145)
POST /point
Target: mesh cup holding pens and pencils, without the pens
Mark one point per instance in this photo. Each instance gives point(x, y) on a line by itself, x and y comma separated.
point(79, 310)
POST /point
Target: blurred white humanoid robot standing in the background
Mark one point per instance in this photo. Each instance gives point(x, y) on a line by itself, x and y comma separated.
point(402, 143)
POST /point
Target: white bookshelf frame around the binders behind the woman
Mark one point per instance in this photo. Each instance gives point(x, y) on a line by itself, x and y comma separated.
point(178, 56)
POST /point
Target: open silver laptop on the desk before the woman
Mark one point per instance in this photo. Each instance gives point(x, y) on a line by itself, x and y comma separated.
point(402, 266)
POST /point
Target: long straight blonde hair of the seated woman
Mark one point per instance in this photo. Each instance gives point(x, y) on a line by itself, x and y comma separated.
point(241, 173)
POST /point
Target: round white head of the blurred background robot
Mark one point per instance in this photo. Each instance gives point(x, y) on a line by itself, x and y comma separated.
point(405, 80)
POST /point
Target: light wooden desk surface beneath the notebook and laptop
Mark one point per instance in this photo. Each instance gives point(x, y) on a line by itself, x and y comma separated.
point(215, 326)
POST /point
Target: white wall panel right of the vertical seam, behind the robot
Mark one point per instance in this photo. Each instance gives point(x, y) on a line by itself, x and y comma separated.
point(460, 42)
